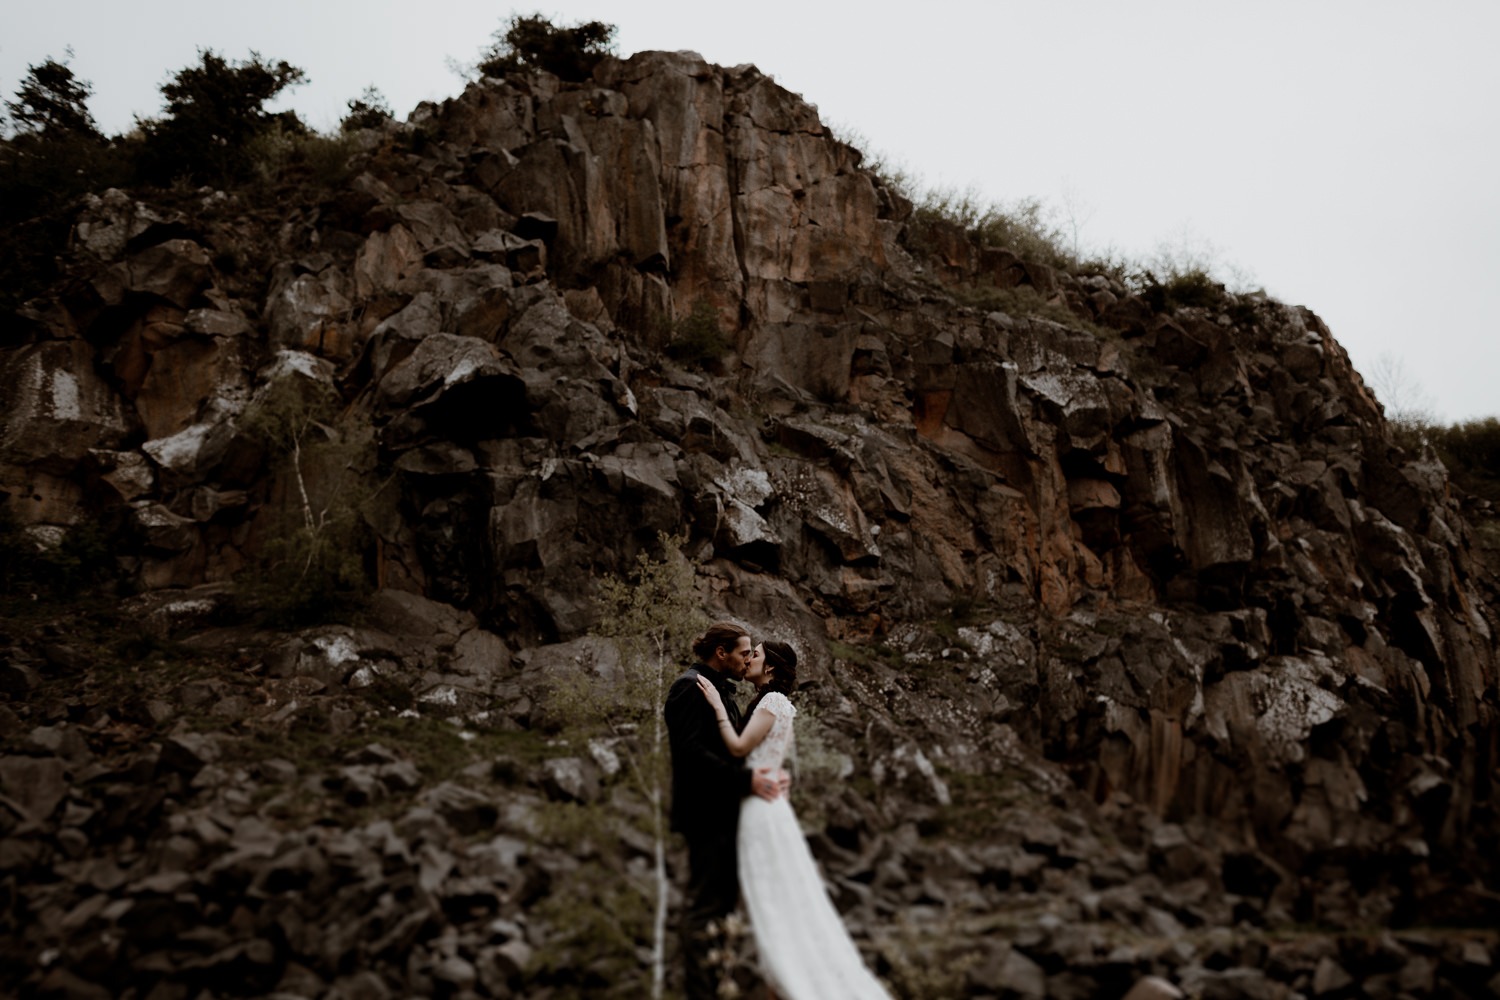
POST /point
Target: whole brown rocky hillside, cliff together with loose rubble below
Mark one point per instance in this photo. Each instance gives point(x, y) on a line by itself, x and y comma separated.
point(1129, 618)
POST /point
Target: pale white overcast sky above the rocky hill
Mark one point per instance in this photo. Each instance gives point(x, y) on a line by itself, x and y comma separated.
point(1345, 154)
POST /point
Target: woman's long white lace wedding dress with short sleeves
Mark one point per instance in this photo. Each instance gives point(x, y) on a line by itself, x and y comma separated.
point(805, 950)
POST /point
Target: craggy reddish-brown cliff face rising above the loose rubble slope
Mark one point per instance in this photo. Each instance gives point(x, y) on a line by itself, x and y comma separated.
point(1150, 552)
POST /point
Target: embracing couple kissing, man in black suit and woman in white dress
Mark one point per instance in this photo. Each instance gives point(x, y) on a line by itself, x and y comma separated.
point(743, 840)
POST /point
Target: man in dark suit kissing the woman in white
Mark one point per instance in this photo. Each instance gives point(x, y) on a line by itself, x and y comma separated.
point(707, 786)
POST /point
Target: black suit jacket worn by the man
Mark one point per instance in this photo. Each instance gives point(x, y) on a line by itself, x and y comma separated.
point(707, 780)
